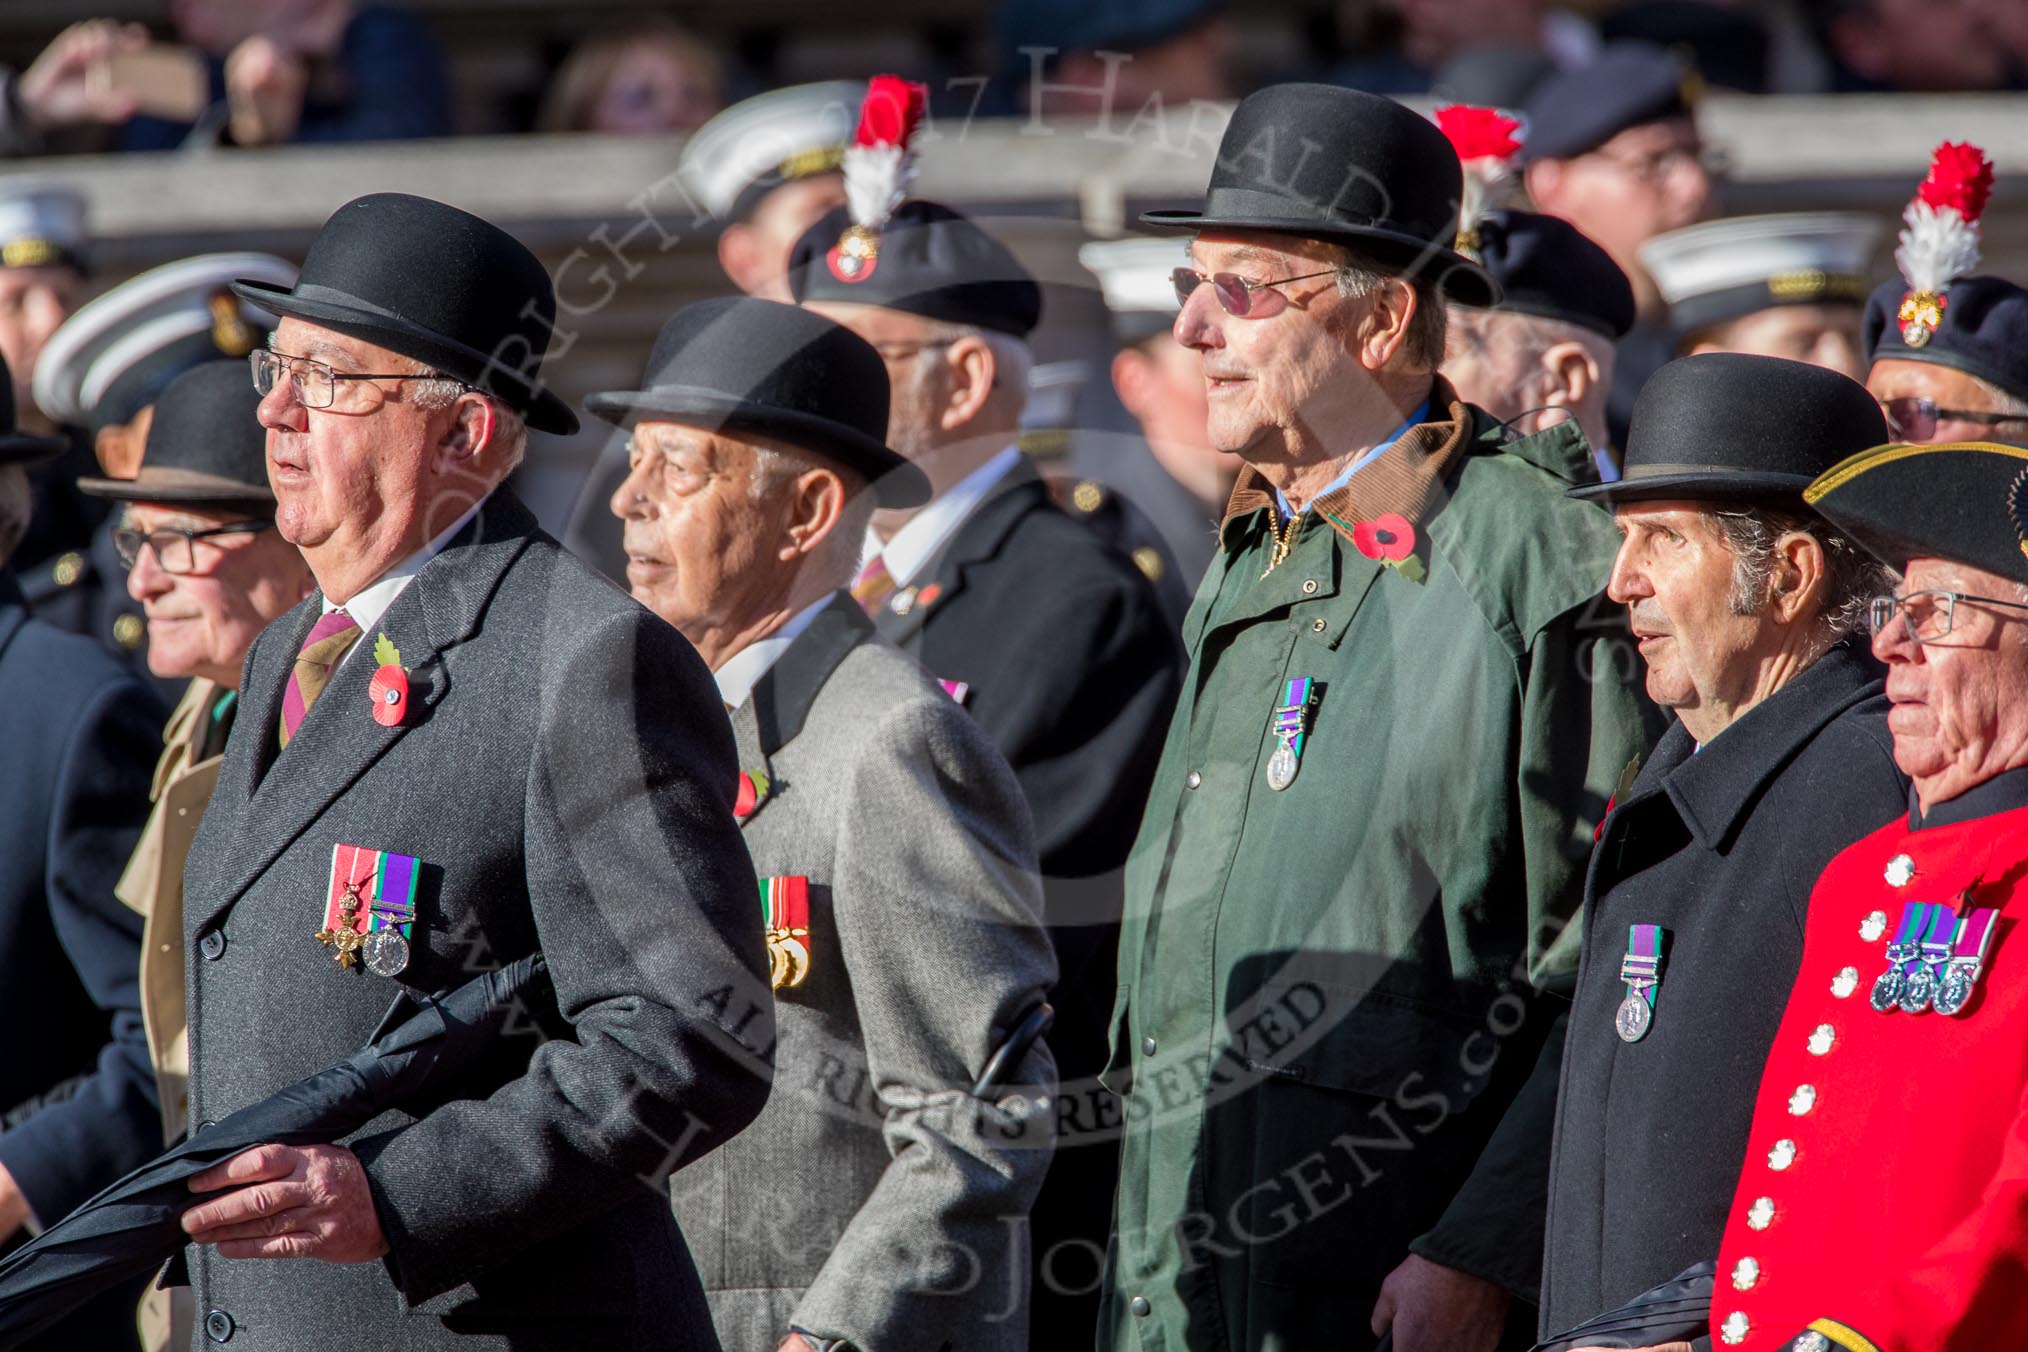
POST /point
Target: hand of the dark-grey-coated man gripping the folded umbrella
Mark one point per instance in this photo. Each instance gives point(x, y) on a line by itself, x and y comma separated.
point(287, 1203)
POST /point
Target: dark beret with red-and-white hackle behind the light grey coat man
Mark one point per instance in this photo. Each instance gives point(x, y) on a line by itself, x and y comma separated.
point(928, 260)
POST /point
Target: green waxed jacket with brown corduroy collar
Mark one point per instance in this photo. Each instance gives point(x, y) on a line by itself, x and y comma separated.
point(1329, 992)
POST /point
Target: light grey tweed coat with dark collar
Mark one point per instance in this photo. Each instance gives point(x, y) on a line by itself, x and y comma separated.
point(877, 1199)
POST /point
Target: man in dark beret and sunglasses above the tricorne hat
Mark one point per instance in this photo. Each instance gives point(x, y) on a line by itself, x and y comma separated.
point(1966, 380)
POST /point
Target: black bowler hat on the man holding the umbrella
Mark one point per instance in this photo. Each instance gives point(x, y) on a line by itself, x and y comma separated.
point(437, 285)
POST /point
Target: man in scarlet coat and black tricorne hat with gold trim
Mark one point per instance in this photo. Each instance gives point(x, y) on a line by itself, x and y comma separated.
point(1883, 1193)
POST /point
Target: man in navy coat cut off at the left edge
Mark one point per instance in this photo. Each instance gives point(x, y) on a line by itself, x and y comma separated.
point(78, 1104)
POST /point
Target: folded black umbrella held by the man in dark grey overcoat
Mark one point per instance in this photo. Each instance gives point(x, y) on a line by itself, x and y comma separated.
point(427, 1051)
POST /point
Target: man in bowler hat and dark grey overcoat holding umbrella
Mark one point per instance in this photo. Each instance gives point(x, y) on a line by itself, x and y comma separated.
point(459, 749)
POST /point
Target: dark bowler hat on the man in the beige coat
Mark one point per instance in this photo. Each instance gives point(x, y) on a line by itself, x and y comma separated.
point(206, 447)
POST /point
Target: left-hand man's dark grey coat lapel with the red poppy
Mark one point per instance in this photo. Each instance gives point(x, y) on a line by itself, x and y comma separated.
point(342, 739)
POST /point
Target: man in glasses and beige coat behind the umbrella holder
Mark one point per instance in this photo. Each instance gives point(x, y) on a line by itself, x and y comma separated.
point(210, 571)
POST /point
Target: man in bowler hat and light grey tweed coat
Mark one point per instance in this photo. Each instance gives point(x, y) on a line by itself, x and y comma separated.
point(875, 1203)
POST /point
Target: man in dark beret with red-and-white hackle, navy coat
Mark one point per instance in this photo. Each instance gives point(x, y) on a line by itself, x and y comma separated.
point(1054, 640)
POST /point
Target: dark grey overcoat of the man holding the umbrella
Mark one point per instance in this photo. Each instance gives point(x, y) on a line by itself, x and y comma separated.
point(565, 777)
